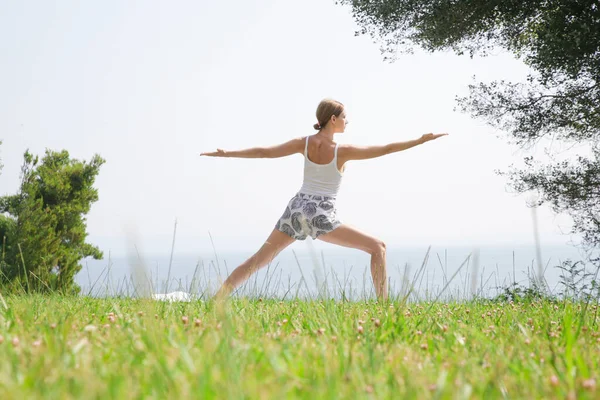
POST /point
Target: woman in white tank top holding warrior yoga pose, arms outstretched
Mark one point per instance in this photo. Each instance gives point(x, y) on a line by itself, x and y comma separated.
point(312, 211)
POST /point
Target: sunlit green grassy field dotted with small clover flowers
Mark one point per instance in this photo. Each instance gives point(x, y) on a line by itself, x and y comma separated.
point(78, 347)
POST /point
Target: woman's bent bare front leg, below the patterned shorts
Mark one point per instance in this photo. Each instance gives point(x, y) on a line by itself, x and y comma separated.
point(347, 236)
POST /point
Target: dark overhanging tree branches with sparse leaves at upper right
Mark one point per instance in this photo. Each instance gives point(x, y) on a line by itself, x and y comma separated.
point(560, 41)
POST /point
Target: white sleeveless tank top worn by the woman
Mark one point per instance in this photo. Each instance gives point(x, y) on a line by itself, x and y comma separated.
point(321, 179)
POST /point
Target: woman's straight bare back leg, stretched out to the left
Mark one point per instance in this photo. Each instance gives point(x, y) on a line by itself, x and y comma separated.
point(276, 242)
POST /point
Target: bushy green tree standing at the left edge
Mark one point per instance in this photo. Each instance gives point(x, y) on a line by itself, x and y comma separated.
point(46, 228)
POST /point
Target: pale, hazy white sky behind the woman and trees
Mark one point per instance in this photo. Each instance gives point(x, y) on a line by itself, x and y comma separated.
point(148, 85)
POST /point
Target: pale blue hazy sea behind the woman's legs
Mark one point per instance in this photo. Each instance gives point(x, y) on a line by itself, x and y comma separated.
point(415, 273)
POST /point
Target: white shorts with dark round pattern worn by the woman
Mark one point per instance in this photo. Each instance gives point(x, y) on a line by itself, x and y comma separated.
point(308, 215)
